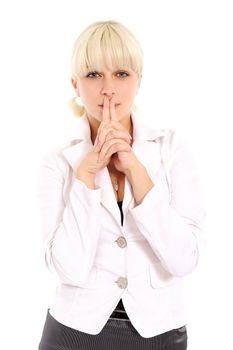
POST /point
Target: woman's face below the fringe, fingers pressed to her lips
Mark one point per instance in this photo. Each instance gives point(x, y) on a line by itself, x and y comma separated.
point(92, 88)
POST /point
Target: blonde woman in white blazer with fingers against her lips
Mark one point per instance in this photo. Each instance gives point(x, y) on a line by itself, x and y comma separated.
point(121, 211)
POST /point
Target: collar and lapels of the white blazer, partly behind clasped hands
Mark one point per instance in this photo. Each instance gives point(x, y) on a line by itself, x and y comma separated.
point(142, 137)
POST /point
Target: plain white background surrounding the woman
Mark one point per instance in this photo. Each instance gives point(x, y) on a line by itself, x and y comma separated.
point(187, 85)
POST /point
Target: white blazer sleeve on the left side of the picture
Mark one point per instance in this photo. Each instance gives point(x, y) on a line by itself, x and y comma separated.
point(70, 222)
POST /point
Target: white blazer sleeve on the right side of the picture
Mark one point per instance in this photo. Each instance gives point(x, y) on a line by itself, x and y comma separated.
point(174, 229)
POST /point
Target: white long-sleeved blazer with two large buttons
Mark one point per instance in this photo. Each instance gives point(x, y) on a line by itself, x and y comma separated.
point(162, 237)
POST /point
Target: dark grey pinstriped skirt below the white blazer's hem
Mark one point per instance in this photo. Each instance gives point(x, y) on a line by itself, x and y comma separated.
point(116, 334)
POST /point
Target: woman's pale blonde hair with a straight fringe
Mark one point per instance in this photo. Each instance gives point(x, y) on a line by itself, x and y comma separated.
point(107, 43)
